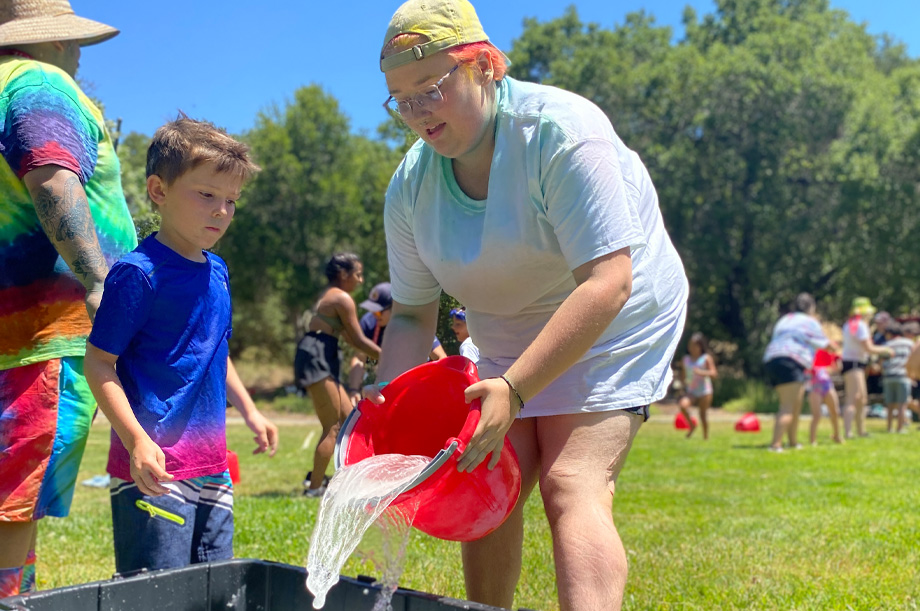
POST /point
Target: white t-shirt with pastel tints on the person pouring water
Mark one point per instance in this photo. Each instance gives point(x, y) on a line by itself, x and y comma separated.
point(563, 191)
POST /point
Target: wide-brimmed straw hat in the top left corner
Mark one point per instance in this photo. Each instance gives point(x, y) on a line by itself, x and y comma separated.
point(34, 21)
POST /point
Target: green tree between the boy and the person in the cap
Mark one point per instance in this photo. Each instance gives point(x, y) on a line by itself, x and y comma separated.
point(320, 191)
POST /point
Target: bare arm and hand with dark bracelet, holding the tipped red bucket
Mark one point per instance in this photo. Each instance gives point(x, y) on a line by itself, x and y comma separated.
point(604, 285)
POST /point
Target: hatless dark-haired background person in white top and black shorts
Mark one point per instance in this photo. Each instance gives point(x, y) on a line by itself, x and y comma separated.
point(789, 354)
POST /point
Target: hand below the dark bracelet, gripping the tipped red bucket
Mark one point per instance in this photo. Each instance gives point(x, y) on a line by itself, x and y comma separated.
point(499, 408)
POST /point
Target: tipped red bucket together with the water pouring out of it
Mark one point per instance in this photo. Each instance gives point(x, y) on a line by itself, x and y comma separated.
point(403, 454)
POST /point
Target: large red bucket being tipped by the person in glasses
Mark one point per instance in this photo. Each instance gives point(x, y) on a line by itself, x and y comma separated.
point(425, 414)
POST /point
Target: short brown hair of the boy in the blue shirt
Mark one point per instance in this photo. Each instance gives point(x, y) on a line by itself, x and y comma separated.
point(184, 144)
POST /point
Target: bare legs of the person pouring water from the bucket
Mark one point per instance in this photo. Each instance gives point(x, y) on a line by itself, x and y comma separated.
point(576, 459)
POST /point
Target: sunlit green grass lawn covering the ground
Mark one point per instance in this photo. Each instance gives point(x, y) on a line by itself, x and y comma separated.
point(710, 525)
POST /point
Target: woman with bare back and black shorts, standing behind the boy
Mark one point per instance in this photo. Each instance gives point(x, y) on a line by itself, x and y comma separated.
point(317, 365)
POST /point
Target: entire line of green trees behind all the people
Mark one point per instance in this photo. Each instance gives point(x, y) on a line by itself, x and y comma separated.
point(783, 139)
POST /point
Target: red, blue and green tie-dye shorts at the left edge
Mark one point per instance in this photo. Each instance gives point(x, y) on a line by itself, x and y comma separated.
point(46, 410)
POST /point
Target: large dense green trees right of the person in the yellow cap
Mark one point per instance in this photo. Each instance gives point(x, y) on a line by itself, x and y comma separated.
point(773, 131)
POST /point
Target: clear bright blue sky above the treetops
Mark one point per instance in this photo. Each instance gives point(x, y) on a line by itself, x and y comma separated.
point(225, 60)
